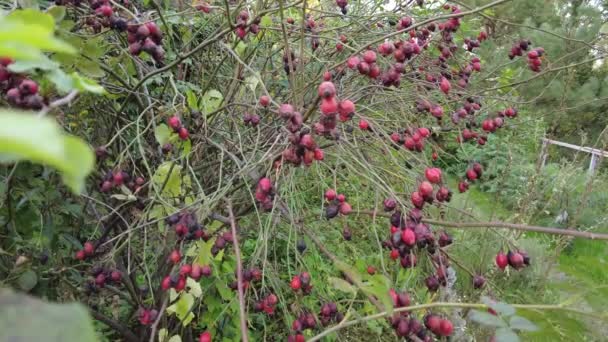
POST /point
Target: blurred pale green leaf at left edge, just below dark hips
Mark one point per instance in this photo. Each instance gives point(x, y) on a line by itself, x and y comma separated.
point(24, 136)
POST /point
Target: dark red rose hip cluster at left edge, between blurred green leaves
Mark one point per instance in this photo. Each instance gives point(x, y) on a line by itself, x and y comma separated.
point(18, 90)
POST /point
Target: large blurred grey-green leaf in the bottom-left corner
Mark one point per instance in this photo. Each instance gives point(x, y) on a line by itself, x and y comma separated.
point(25, 318)
